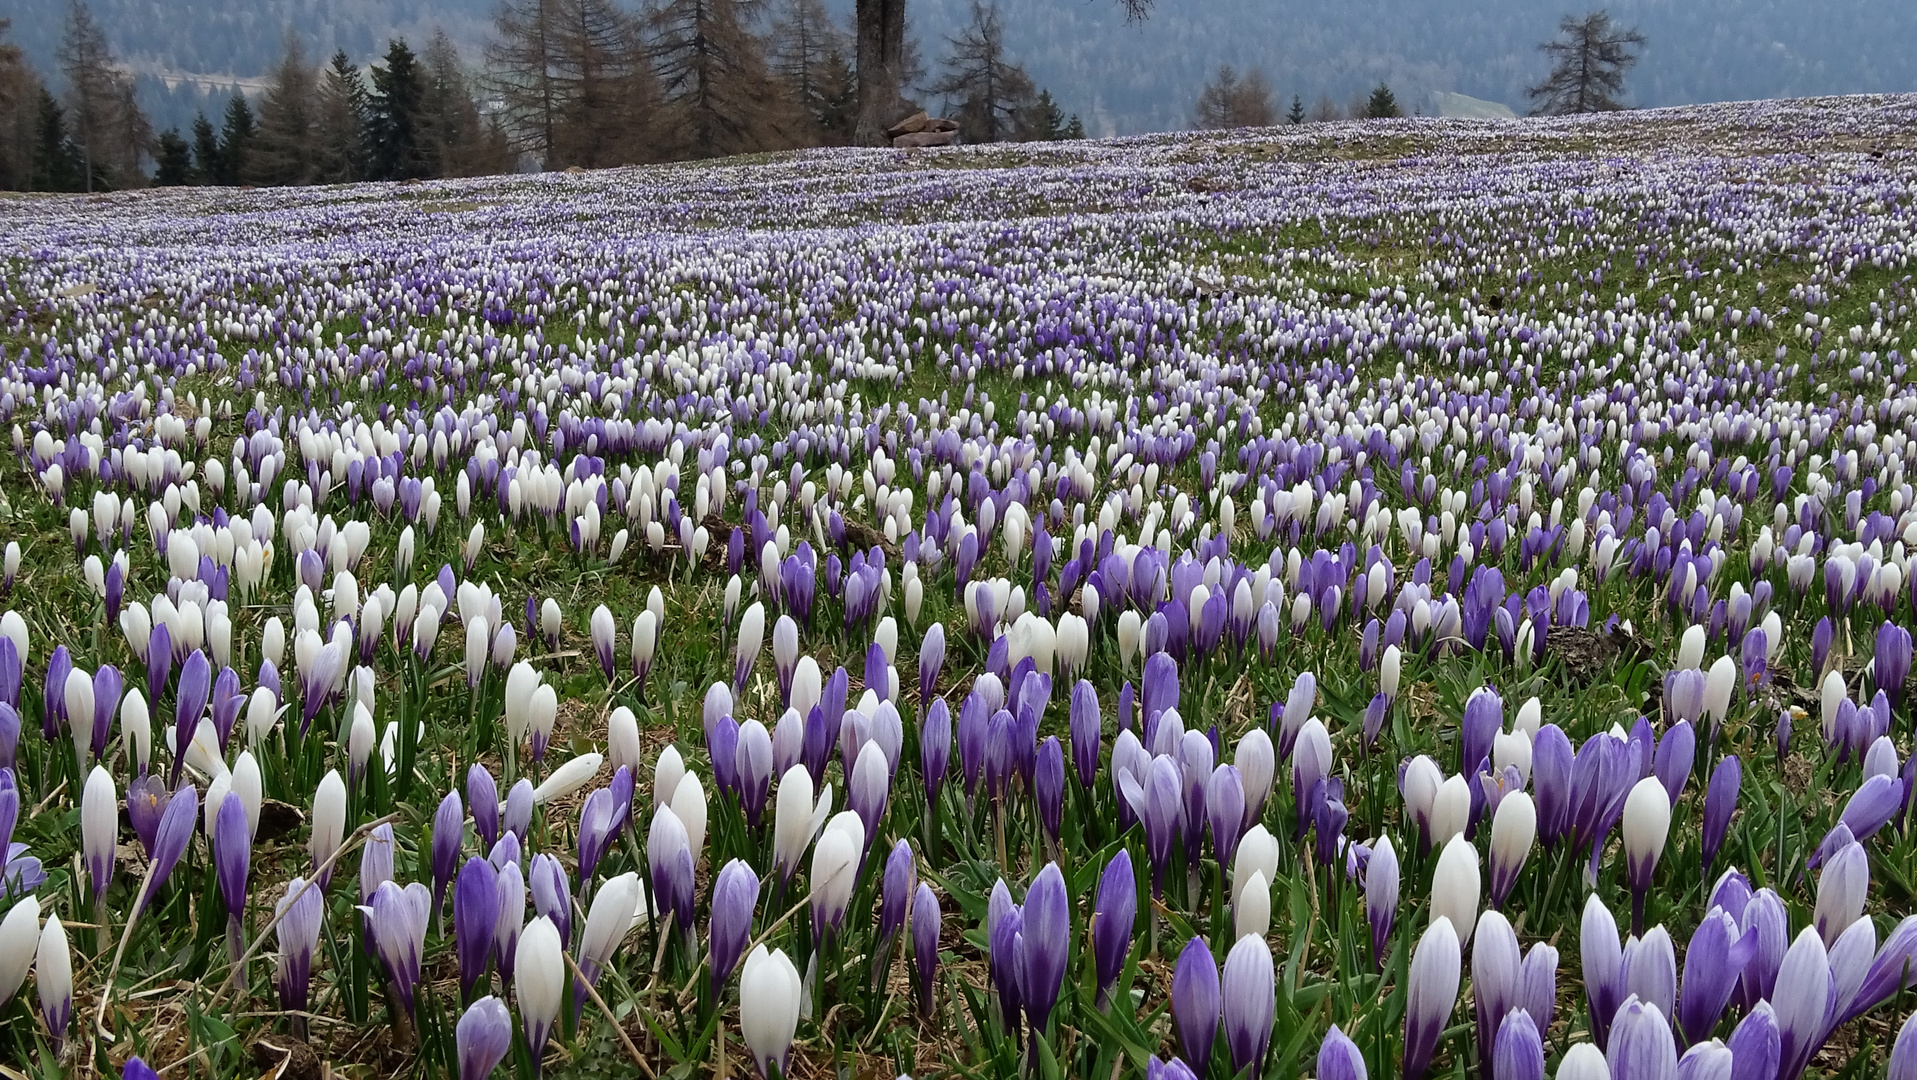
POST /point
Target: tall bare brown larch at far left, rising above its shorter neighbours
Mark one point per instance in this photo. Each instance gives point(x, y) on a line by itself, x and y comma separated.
point(108, 128)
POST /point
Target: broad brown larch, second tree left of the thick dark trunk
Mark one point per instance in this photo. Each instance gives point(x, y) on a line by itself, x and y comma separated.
point(714, 80)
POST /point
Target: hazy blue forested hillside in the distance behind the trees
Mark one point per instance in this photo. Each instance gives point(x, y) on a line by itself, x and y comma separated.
point(1140, 78)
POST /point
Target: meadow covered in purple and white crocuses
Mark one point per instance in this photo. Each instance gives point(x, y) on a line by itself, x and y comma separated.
point(1404, 599)
